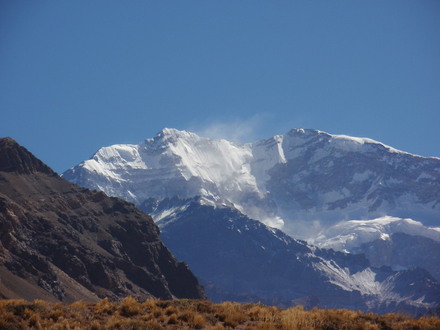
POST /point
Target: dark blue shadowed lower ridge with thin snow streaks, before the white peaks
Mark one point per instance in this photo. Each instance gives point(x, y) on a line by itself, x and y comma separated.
point(241, 259)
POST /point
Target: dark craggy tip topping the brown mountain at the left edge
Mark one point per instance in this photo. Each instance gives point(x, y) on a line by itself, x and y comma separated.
point(15, 158)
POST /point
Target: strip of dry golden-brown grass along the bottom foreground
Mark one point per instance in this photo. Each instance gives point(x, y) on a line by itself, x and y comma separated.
point(192, 314)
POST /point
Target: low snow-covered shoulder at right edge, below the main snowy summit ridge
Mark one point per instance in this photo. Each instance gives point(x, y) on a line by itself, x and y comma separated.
point(387, 241)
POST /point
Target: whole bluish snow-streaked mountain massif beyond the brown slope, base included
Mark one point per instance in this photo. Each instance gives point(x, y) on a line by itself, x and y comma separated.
point(204, 193)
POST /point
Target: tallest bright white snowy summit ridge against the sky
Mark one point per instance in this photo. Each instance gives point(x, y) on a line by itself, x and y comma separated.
point(301, 182)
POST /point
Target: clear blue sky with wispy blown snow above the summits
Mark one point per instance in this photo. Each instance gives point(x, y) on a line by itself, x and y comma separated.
point(79, 75)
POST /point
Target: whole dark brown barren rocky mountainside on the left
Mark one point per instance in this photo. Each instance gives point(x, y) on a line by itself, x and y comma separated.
point(62, 242)
